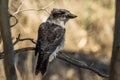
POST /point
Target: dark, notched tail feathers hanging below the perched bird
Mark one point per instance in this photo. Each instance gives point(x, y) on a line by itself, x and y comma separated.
point(41, 65)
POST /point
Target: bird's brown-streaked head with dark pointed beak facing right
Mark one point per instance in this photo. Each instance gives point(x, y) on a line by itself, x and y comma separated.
point(61, 15)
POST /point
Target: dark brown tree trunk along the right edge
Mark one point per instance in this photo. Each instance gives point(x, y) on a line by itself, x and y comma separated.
point(115, 60)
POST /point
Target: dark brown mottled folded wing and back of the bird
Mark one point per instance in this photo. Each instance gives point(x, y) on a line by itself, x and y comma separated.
point(49, 37)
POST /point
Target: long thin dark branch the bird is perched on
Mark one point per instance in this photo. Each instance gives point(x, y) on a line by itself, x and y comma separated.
point(65, 57)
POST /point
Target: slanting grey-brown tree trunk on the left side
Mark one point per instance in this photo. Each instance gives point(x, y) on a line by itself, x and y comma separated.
point(7, 41)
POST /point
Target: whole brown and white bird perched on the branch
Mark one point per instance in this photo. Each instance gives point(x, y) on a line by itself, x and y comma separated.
point(51, 37)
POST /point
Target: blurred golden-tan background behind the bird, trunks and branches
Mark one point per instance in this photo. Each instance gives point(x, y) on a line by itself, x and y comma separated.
point(88, 37)
